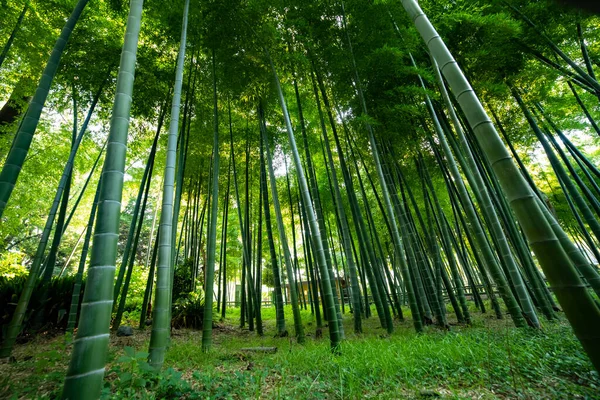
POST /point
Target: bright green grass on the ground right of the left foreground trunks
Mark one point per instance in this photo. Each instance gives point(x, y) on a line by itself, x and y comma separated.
point(490, 359)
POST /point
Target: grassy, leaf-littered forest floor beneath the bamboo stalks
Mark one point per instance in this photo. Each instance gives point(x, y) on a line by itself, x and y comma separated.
point(487, 360)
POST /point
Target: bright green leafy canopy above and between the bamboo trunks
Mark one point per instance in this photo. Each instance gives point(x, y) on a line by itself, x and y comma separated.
point(485, 37)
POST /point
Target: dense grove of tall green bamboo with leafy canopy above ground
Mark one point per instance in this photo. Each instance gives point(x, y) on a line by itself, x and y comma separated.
point(329, 156)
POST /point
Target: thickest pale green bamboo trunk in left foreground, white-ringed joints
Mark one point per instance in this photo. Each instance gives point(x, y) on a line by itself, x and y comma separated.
point(90, 347)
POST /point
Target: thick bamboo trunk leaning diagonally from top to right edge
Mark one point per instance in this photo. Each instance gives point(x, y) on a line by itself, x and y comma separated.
point(579, 307)
